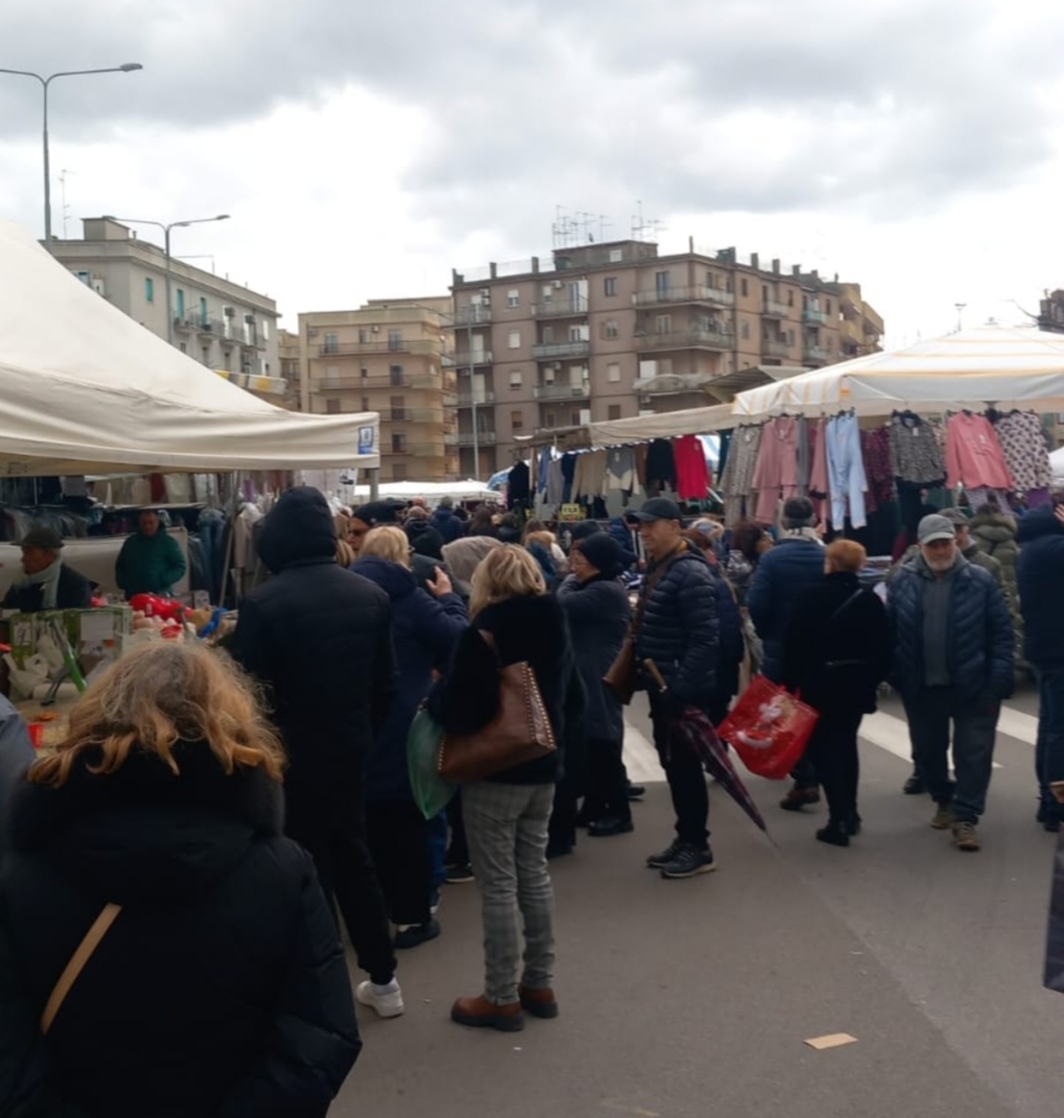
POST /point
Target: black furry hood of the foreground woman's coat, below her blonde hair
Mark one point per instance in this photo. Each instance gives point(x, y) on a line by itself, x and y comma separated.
point(144, 833)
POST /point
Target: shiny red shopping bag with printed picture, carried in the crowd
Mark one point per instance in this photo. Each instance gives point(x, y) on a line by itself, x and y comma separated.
point(769, 728)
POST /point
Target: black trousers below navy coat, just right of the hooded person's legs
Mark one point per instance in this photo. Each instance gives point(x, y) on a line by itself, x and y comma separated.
point(400, 846)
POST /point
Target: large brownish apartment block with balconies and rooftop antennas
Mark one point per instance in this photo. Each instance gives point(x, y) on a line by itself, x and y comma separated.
point(616, 330)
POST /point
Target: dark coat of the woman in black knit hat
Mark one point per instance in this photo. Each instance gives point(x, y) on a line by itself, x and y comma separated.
point(600, 614)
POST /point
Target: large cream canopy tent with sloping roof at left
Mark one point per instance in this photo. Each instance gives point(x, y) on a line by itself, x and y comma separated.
point(84, 390)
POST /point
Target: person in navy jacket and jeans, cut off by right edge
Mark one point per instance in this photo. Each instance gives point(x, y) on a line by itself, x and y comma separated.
point(1040, 576)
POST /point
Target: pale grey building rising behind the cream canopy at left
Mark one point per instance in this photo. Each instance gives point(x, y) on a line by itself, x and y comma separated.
point(225, 327)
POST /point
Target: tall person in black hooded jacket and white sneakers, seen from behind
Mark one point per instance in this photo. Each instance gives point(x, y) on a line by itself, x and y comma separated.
point(320, 639)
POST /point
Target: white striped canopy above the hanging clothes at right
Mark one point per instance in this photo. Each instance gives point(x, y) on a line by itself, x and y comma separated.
point(1008, 367)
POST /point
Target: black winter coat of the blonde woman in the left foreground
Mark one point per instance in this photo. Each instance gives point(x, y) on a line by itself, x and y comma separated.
point(221, 990)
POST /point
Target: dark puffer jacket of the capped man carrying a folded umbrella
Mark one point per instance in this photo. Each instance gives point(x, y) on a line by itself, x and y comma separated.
point(680, 630)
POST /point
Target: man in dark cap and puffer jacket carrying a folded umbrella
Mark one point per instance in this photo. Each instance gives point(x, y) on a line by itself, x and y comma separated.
point(679, 633)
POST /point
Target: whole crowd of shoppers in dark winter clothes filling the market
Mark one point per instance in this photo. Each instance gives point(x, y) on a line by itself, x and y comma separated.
point(243, 811)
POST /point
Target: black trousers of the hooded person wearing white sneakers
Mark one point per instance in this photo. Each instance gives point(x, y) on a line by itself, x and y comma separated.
point(337, 842)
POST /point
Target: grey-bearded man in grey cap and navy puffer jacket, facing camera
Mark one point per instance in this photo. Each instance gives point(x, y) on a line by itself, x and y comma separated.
point(953, 664)
